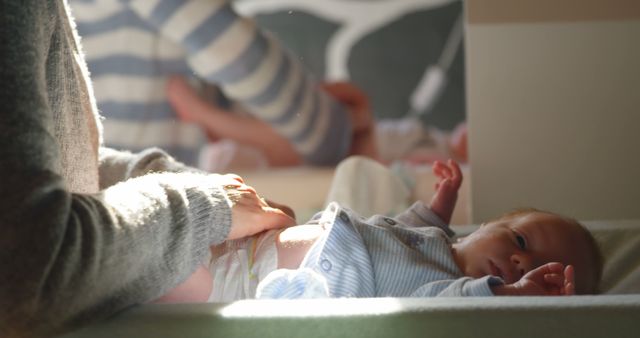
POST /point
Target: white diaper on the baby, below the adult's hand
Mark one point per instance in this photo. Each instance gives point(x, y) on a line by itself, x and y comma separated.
point(238, 266)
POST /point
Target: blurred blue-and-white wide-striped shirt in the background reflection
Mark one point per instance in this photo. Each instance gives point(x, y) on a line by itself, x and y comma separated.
point(132, 46)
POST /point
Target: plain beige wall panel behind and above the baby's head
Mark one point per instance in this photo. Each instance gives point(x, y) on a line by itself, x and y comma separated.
point(554, 107)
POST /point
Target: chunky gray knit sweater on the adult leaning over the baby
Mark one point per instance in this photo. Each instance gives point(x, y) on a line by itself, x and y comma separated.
point(75, 246)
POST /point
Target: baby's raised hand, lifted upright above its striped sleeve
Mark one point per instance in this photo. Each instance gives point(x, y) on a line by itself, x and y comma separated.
point(449, 181)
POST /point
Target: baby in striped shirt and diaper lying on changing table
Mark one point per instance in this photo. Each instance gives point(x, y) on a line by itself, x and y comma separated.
point(340, 254)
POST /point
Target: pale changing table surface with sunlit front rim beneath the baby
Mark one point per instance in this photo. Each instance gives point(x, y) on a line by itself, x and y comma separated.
point(609, 315)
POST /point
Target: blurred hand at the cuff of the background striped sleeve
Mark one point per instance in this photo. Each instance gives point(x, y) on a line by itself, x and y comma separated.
point(356, 101)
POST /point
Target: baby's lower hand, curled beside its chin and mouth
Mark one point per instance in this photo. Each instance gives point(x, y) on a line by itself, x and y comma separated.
point(551, 279)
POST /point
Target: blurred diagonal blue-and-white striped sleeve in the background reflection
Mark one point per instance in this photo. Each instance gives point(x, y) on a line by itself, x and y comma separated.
point(255, 70)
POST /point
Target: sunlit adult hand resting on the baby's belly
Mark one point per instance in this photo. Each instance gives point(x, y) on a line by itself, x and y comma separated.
point(251, 214)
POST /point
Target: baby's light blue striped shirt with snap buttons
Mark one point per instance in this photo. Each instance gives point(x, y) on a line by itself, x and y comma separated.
point(406, 256)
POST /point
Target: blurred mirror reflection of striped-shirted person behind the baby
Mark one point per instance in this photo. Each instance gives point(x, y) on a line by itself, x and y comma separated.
point(204, 85)
